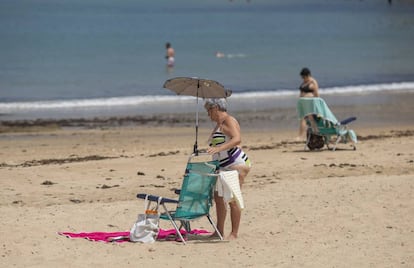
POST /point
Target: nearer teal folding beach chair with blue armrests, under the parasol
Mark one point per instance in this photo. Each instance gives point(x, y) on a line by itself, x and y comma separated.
point(195, 197)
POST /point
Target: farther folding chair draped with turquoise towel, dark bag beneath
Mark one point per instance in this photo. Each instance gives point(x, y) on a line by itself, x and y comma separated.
point(322, 125)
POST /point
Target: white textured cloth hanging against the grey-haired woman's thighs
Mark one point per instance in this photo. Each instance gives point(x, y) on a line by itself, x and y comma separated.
point(228, 186)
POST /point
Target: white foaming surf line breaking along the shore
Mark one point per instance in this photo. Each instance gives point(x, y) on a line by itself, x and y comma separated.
point(152, 106)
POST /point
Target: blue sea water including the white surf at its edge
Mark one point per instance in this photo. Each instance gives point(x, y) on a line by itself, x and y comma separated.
point(80, 58)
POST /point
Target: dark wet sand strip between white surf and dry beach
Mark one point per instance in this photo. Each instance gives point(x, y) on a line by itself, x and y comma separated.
point(379, 109)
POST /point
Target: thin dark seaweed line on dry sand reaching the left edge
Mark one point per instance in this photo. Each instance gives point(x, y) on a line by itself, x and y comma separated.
point(60, 161)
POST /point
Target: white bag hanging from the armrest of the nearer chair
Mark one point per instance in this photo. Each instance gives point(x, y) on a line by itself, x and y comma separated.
point(146, 228)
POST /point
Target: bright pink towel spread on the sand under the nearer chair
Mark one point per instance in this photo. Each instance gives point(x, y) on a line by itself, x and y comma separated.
point(124, 236)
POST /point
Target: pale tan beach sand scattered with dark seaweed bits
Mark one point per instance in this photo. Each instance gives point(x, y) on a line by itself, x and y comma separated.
point(303, 209)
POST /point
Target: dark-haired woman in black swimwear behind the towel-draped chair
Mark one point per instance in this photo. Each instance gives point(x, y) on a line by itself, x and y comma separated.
point(308, 88)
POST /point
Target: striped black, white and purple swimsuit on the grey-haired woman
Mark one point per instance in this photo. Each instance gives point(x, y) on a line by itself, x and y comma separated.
point(228, 158)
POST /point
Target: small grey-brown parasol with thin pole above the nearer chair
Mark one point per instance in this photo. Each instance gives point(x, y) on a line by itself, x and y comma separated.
point(199, 88)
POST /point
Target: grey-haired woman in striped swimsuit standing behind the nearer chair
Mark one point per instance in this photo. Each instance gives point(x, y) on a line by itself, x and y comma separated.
point(225, 141)
